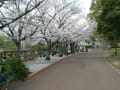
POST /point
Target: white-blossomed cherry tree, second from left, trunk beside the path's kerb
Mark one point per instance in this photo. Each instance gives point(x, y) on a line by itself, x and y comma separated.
point(52, 20)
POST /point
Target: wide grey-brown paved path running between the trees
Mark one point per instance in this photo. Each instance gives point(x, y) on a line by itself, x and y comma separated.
point(82, 71)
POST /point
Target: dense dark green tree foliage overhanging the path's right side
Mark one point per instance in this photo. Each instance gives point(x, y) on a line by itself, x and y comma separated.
point(107, 15)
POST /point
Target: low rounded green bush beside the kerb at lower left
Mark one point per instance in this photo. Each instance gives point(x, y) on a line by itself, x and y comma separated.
point(18, 67)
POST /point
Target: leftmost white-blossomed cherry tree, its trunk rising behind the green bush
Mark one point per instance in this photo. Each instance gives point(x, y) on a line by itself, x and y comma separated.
point(20, 29)
